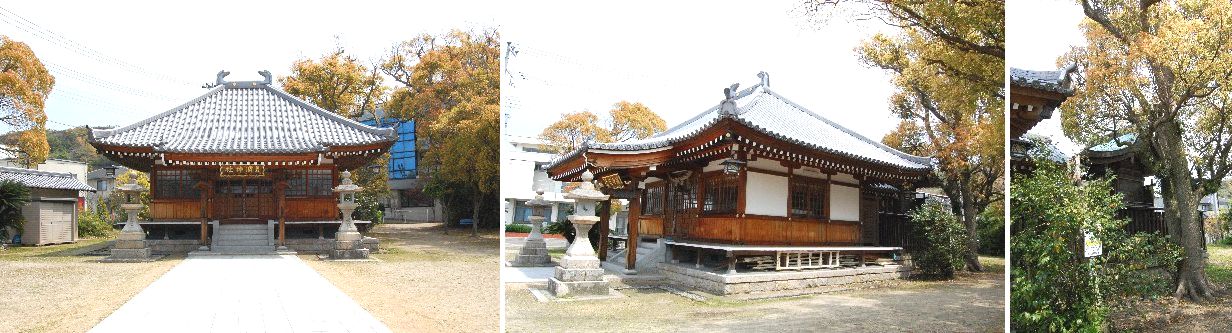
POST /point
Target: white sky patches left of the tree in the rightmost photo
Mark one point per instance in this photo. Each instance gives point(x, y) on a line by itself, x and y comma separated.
point(1038, 34)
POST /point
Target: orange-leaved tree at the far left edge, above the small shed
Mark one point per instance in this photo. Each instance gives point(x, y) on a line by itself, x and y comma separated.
point(25, 86)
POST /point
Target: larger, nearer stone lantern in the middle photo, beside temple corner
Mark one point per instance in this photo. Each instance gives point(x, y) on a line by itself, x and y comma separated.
point(580, 272)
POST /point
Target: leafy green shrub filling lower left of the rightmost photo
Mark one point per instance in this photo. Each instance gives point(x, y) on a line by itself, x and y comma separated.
point(1054, 287)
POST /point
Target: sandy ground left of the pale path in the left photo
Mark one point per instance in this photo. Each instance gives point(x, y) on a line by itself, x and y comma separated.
point(50, 289)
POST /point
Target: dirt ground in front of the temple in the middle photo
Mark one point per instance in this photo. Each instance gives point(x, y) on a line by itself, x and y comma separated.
point(973, 303)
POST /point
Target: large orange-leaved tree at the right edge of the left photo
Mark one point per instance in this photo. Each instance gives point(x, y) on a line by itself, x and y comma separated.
point(452, 89)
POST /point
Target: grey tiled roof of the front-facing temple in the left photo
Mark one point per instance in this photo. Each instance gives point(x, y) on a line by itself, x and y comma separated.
point(245, 118)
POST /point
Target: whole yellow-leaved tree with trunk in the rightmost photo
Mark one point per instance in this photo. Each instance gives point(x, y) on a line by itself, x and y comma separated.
point(1162, 71)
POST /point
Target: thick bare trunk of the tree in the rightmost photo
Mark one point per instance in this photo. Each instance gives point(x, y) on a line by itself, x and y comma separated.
point(1192, 283)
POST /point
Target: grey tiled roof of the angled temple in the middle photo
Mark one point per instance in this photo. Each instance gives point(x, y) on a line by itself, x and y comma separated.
point(772, 114)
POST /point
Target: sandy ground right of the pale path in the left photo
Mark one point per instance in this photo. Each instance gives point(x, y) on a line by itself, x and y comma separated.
point(426, 282)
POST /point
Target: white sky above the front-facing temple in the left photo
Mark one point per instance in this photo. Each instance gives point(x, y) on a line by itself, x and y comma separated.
point(160, 54)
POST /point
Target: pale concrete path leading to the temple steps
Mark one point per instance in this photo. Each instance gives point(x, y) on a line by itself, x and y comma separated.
point(241, 294)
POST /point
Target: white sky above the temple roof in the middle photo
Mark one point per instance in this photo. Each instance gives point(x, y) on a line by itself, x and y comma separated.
point(677, 59)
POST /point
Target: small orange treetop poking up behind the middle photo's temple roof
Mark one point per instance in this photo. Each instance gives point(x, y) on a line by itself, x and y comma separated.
point(626, 121)
